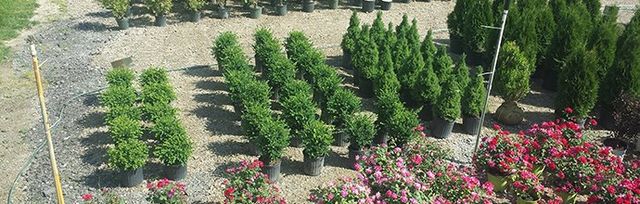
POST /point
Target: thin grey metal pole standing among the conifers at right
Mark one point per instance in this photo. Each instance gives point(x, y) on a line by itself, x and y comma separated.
point(505, 12)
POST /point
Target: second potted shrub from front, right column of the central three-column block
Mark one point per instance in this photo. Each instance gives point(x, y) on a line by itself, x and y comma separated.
point(340, 106)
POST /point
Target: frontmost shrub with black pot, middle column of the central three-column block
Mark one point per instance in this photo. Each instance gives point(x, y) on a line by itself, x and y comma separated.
point(316, 137)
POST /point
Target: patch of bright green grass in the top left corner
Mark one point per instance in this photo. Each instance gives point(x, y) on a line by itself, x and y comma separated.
point(14, 16)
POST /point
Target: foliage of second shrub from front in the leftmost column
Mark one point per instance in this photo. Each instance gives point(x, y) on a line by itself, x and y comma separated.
point(123, 128)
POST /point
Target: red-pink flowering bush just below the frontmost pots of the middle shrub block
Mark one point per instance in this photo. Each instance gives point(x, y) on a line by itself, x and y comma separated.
point(246, 184)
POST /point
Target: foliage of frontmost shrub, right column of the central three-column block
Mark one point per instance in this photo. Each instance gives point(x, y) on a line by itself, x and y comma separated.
point(360, 130)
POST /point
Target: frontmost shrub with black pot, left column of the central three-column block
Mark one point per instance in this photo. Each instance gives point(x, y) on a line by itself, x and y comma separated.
point(273, 137)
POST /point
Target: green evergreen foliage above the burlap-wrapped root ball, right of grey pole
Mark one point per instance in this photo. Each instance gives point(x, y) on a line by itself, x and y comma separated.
point(512, 77)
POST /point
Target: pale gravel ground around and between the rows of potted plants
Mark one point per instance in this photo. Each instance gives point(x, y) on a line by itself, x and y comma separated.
point(78, 51)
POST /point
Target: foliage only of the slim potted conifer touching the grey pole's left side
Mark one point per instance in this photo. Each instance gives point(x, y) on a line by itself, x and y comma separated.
point(474, 94)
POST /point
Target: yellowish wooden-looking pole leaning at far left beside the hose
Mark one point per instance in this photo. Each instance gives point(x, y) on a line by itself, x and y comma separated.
point(47, 126)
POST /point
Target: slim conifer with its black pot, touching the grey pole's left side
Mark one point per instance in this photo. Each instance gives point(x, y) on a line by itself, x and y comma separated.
point(473, 103)
